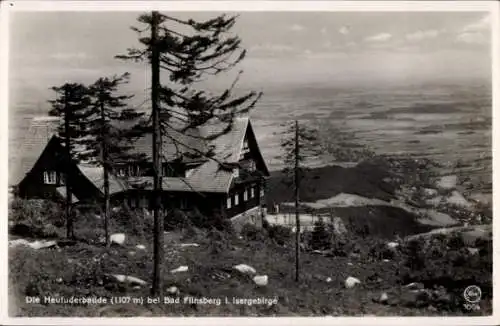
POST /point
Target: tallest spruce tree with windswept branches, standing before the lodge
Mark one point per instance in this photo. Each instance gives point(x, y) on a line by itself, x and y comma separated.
point(187, 51)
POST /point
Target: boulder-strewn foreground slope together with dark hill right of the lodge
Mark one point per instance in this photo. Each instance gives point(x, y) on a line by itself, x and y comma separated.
point(403, 244)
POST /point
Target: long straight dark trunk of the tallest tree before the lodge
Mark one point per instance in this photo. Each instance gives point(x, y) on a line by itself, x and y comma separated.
point(157, 168)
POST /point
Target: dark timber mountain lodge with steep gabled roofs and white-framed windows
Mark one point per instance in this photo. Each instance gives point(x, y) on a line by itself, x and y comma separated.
point(231, 182)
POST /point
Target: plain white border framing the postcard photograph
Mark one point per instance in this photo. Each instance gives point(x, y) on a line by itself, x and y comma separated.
point(226, 6)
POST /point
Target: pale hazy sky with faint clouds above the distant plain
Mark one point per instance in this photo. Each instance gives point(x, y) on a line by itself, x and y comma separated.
point(337, 47)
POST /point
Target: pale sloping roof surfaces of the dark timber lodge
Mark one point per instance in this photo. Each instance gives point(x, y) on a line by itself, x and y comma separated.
point(209, 176)
